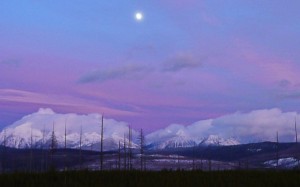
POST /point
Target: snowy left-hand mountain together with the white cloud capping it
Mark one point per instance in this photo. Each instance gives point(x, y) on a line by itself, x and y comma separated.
point(35, 130)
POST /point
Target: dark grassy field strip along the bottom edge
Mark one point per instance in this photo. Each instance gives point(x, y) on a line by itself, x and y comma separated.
point(153, 179)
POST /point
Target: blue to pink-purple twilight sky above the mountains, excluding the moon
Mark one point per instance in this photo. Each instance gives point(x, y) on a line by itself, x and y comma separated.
point(187, 60)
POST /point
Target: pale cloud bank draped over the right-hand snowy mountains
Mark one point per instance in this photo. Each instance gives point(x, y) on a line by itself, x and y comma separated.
point(254, 126)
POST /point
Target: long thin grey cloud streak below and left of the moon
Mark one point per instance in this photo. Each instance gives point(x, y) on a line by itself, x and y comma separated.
point(123, 72)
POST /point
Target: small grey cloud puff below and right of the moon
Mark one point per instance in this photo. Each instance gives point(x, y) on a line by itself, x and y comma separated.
point(181, 61)
